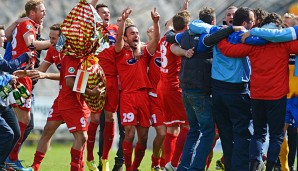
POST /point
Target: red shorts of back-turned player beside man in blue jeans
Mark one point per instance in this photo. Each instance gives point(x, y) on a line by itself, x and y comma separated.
point(172, 106)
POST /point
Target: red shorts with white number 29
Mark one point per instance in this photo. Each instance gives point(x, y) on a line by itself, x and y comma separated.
point(134, 109)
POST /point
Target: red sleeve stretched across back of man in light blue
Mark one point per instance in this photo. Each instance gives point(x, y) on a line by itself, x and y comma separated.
point(234, 50)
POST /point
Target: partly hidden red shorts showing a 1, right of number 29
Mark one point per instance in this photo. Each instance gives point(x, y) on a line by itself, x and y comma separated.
point(156, 114)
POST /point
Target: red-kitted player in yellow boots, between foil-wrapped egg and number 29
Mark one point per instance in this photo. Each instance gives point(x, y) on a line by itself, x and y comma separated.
point(107, 62)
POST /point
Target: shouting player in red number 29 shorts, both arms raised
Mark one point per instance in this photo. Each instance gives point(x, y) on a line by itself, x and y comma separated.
point(134, 100)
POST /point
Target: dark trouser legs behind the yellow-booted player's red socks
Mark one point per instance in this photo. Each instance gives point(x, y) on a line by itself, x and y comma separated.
point(119, 159)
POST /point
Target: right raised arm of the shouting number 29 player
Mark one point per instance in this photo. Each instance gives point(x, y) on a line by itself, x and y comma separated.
point(154, 42)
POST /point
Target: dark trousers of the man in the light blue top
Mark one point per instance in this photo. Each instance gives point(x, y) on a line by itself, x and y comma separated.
point(231, 110)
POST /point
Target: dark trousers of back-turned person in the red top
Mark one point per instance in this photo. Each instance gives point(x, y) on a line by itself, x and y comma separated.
point(271, 112)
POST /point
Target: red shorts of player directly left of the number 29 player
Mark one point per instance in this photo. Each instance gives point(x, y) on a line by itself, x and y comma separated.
point(112, 97)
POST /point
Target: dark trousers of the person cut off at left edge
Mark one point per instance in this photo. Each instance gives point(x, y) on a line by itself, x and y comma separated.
point(9, 132)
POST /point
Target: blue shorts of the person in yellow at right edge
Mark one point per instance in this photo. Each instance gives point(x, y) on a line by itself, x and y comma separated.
point(292, 111)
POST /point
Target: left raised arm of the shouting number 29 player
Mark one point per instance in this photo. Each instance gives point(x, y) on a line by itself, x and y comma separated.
point(120, 34)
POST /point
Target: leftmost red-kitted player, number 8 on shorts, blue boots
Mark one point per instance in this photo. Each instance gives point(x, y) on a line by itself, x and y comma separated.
point(23, 36)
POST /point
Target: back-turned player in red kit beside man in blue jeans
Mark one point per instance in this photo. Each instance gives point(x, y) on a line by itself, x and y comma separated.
point(170, 95)
